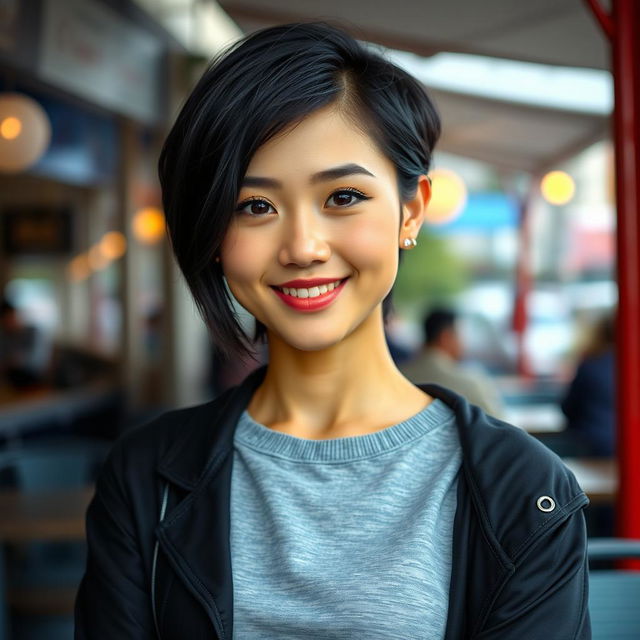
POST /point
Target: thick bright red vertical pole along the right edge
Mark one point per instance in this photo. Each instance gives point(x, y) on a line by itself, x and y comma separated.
point(623, 28)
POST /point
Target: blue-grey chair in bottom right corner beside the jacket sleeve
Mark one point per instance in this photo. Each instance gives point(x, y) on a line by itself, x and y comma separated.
point(614, 594)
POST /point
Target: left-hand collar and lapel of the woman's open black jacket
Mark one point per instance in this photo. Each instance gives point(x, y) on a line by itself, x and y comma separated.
point(195, 534)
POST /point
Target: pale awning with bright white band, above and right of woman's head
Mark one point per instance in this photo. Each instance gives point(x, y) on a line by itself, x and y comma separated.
point(483, 118)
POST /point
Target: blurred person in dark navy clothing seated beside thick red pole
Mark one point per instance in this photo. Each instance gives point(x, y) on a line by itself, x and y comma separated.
point(589, 404)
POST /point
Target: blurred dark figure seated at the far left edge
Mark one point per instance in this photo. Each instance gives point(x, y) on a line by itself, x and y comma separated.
point(23, 360)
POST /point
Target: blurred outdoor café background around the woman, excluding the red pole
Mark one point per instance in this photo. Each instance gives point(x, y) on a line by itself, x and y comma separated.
point(98, 332)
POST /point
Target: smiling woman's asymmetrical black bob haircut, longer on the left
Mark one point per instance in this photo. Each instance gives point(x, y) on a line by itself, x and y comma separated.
point(258, 88)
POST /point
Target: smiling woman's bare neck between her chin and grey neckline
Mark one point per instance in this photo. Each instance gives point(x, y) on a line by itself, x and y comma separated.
point(350, 388)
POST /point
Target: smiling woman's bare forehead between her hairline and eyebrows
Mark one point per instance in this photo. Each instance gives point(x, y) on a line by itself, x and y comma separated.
point(322, 139)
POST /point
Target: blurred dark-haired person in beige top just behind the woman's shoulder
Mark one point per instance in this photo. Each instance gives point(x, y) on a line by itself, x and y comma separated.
point(439, 362)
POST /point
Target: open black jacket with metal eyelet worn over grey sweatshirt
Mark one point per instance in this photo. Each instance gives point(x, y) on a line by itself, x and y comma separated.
point(519, 564)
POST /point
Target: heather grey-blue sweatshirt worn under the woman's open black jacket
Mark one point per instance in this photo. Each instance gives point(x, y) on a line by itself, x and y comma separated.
point(345, 538)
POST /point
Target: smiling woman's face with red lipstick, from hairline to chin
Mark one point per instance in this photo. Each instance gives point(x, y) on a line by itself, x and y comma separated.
point(313, 249)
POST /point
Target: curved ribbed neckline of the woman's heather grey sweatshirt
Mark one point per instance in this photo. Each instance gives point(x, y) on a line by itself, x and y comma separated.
point(258, 437)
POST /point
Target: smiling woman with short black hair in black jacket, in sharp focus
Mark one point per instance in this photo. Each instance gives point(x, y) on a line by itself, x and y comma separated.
point(326, 496)
